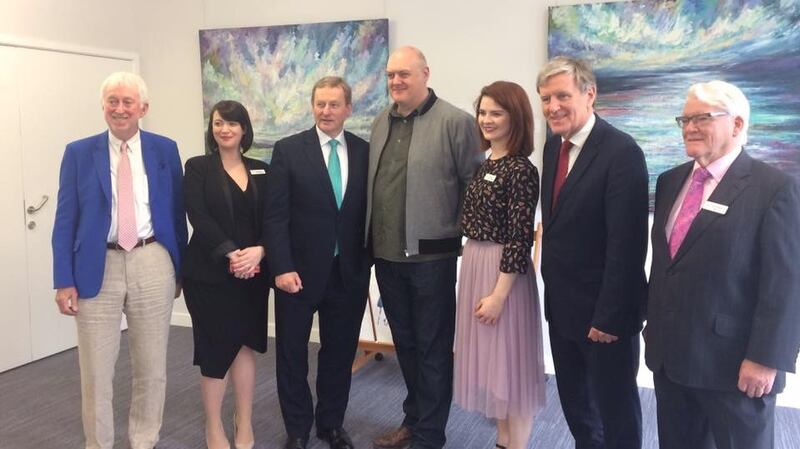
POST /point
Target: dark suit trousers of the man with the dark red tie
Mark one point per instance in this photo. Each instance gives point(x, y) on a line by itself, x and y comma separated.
point(597, 388)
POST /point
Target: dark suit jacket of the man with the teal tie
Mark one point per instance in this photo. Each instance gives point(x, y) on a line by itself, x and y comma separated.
point(302, 220)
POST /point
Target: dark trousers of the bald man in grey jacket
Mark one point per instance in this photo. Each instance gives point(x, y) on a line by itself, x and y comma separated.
point(420, 301)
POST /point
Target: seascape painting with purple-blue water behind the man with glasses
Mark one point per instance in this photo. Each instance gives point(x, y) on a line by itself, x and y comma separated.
point(647, 53)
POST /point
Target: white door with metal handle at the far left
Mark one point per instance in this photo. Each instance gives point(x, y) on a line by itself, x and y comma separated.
point(51, 96)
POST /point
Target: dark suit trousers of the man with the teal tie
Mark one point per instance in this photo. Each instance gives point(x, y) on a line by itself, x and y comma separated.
point(340, 313)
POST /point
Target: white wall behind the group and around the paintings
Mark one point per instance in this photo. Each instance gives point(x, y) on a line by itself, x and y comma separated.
point(468, 45)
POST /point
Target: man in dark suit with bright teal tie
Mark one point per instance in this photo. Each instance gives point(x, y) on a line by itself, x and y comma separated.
point(316, 207)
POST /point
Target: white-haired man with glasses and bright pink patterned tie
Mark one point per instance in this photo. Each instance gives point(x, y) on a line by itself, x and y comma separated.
point(724, 296)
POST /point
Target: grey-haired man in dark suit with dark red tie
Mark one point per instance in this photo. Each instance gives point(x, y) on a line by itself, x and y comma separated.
point(594, 210)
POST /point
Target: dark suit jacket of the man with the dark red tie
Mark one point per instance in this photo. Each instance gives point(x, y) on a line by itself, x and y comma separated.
point(595, 240)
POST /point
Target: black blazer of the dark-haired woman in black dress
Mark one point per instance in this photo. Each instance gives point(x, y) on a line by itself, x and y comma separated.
point(207, 198)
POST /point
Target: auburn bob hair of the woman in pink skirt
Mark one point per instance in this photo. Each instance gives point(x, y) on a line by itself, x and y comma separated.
point(513, 99)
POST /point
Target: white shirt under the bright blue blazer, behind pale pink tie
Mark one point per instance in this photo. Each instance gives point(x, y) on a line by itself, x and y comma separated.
point(141, 196)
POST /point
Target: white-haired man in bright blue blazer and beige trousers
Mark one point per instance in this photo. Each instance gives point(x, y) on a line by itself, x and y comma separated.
point(118, 237)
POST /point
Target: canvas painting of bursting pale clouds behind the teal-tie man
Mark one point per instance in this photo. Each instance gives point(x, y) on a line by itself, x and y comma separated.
point(272, 69)
